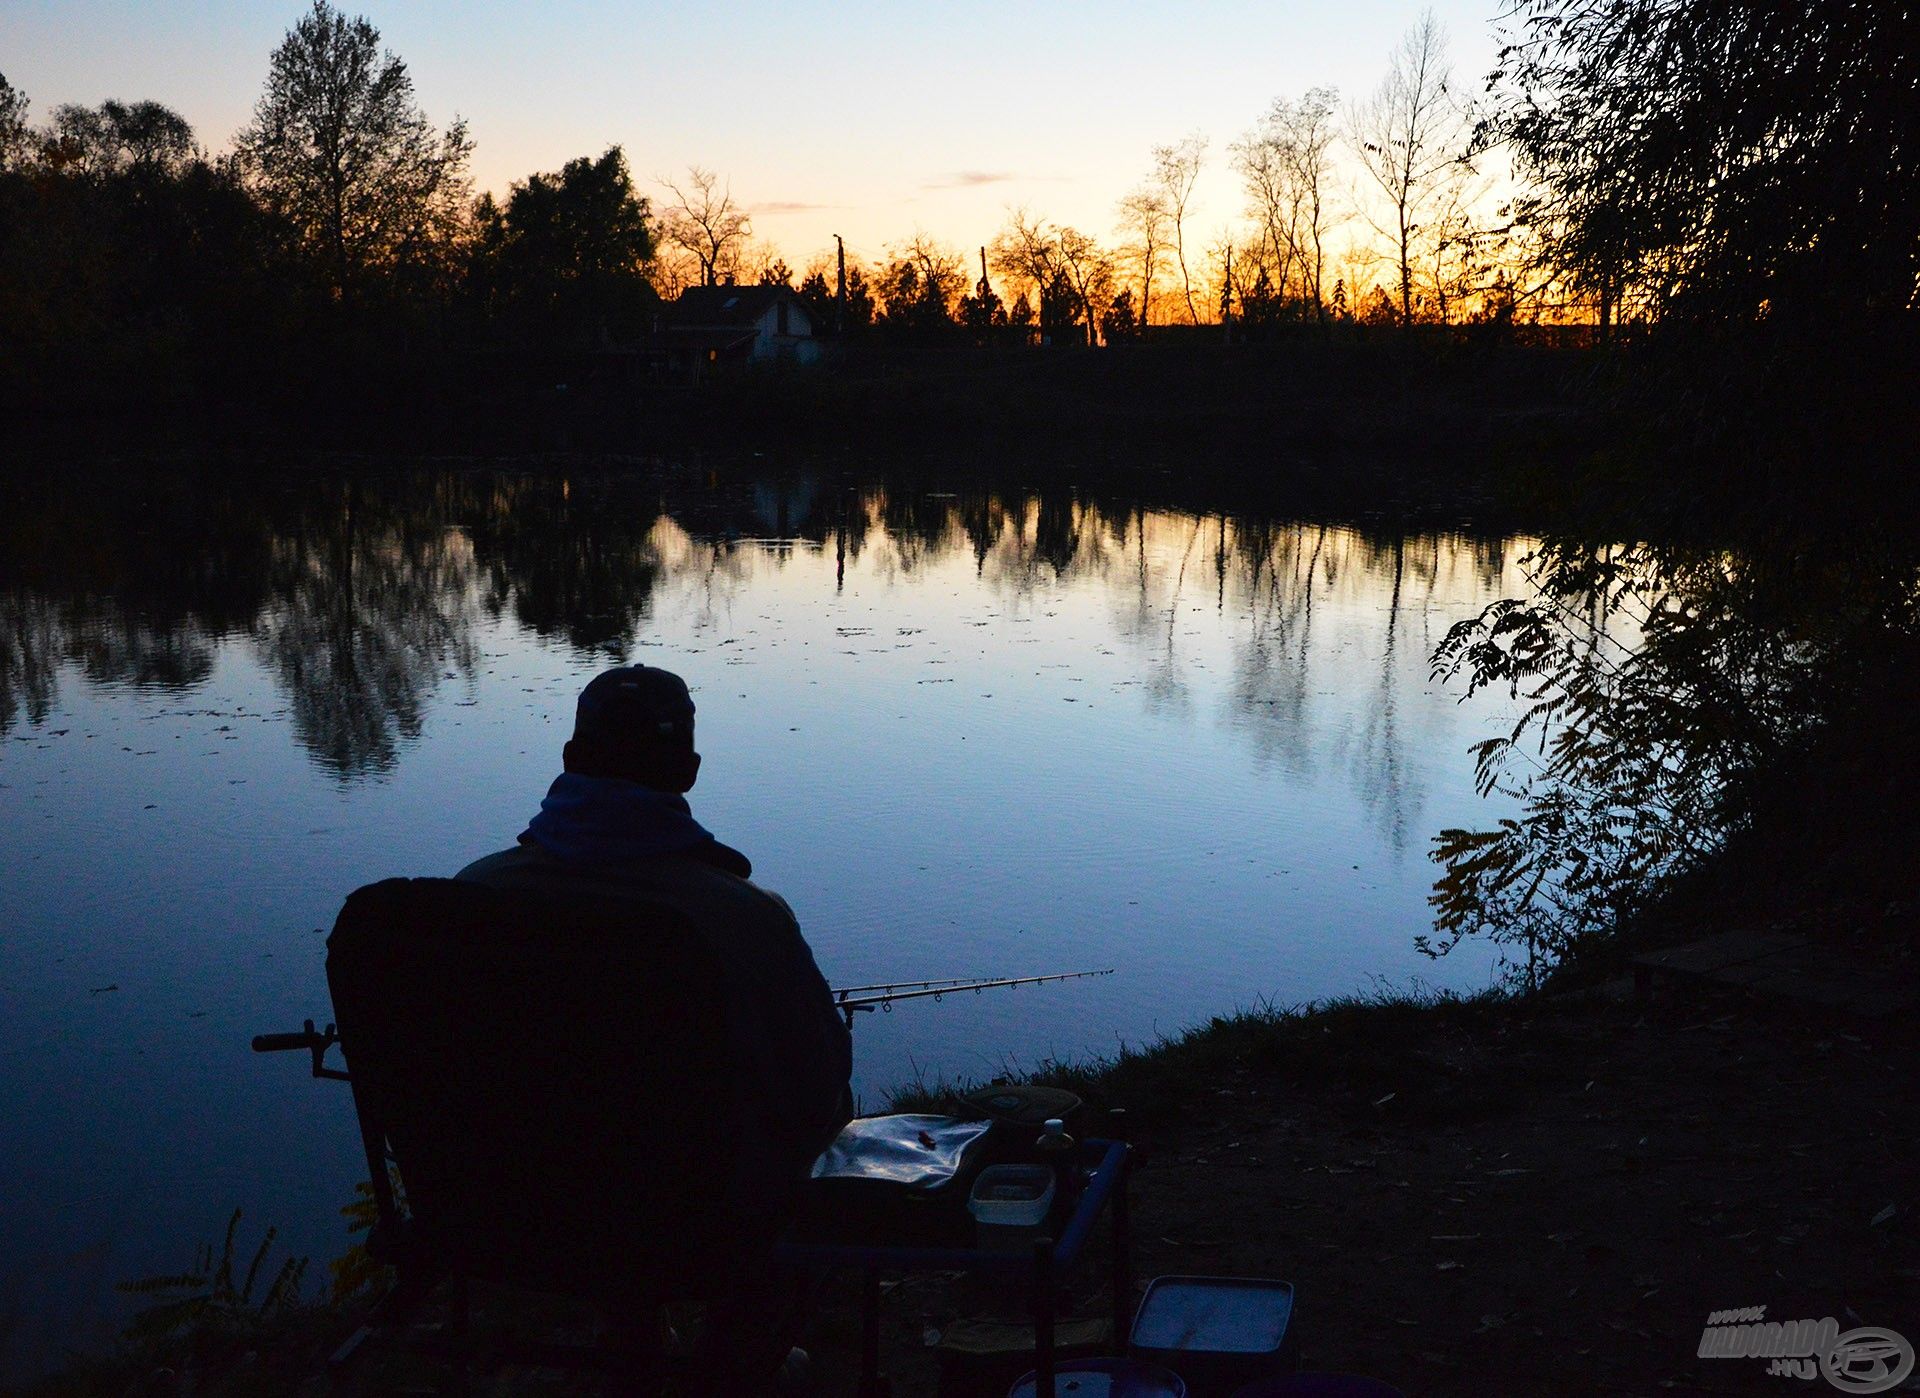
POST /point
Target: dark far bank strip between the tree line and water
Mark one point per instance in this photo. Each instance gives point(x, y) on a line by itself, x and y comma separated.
point(1451, 412)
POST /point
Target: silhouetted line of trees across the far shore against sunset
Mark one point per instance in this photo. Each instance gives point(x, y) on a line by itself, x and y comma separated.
point(1683, 166)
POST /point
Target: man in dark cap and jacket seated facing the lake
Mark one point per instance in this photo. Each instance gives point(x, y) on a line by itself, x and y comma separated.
point(617, 821)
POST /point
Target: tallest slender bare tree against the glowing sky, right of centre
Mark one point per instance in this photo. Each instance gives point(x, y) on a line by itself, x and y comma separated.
point(1410, 137)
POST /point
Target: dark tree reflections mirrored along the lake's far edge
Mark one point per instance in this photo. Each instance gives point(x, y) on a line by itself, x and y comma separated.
point(364, 596)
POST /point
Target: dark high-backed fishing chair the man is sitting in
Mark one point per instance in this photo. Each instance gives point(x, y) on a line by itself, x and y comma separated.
point(550, 1080)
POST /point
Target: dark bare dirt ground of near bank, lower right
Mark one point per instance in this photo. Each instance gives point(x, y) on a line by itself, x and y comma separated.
point(1545, 1205)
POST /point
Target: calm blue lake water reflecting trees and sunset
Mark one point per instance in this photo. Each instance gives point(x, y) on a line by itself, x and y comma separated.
point(965, 733)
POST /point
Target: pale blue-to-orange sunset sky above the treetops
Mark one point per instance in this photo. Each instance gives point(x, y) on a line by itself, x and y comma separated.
point(865, 120)
